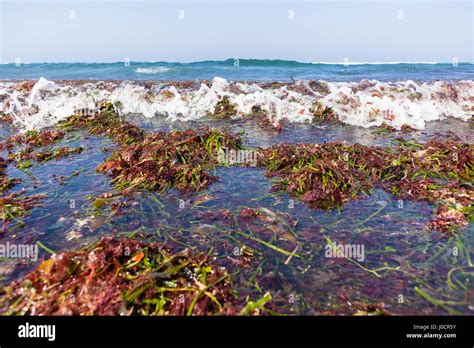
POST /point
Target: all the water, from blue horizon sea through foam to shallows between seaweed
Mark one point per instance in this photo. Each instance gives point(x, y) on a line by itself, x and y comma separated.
point(437, 99)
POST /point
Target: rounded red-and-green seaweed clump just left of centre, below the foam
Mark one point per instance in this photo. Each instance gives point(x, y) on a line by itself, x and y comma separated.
point(164, 161)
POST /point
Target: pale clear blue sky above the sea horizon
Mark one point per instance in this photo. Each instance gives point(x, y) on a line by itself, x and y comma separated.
point(47, 31)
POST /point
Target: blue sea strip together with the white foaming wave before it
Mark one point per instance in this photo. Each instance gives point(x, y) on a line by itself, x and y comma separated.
point(362, 94)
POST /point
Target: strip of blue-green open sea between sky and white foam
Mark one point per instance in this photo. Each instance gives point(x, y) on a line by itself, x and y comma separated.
point(238, 70)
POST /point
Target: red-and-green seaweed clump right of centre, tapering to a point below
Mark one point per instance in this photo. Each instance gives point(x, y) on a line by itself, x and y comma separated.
point(322, 175)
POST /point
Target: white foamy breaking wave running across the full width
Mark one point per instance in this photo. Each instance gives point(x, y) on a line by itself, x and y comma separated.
point(365, 103)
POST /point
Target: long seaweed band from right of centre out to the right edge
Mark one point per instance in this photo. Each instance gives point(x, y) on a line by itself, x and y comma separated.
point(327, 175)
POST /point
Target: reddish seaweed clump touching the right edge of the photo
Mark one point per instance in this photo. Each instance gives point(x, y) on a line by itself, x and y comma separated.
point(437, 172)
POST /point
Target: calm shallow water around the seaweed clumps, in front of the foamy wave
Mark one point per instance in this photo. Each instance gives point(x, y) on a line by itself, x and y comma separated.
point(401, 260)
